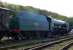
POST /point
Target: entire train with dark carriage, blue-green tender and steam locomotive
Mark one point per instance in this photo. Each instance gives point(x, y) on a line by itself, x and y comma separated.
point(27, 25)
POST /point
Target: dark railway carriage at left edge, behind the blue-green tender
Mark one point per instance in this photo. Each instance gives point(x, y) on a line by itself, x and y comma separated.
point(5, 17)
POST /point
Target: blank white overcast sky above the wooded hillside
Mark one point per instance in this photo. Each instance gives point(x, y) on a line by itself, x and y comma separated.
point(63, 7)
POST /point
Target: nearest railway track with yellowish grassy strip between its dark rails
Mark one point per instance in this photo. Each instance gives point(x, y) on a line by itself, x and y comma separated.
point(59, 45)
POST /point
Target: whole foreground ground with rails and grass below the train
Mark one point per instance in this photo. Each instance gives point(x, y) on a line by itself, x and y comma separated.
point(61, 43)
